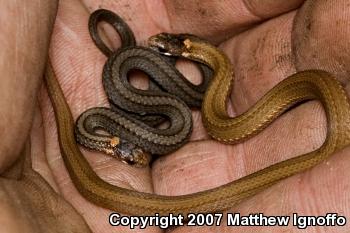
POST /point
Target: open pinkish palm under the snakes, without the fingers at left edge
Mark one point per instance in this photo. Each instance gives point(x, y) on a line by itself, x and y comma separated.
point(274, 44)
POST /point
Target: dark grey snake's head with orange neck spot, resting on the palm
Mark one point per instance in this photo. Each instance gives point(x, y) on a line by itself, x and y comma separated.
point(130, 154)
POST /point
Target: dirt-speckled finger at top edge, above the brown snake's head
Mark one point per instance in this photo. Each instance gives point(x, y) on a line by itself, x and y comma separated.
point(219, 21)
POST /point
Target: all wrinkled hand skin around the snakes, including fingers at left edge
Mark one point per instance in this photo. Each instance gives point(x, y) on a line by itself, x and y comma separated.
point(266, 42)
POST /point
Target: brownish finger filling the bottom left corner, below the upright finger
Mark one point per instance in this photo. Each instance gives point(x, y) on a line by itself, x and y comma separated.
point(30, 203)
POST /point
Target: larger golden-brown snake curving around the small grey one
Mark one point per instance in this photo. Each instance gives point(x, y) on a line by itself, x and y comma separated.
point(307, 85)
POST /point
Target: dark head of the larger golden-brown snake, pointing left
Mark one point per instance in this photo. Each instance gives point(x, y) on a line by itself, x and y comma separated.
point(169, 44)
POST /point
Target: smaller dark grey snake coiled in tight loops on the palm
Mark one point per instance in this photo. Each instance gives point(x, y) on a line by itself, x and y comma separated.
point(134, 114)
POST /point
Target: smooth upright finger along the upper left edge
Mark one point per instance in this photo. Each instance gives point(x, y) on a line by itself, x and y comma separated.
point(24, 43)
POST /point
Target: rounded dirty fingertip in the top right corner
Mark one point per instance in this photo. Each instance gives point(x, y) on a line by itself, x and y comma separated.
point(320, 38)
